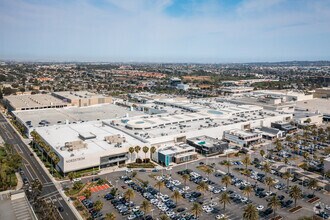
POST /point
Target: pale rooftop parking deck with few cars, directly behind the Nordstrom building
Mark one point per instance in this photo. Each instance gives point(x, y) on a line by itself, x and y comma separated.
point(74, 114)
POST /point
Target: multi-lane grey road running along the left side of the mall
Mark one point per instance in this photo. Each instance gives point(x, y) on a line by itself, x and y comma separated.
point(33, 170)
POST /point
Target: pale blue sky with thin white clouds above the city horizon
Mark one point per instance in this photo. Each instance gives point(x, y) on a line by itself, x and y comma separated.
point(205, 31)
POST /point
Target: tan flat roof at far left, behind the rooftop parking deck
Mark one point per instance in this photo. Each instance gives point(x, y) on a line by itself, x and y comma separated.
point(34, 101)
